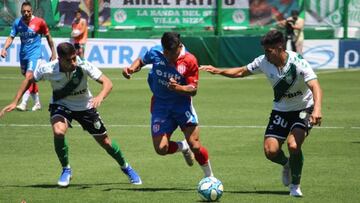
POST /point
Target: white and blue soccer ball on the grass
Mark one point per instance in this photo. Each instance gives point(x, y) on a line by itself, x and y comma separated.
point(210, 189)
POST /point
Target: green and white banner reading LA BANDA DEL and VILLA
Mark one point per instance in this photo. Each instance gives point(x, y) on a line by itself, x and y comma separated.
point(162, 13)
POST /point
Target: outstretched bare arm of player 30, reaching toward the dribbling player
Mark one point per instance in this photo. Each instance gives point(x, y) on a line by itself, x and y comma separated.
point(229, 72)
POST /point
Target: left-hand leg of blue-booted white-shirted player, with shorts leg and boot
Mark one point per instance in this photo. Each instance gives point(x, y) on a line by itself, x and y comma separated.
point(60, 118)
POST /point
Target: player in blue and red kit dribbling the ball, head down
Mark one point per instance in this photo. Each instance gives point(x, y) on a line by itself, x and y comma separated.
point(173, 81)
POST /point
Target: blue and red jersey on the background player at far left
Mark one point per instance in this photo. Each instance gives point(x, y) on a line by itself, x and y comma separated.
point(30, 36)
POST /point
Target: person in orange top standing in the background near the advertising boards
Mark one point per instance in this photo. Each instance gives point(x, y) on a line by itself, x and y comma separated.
point(79, 33)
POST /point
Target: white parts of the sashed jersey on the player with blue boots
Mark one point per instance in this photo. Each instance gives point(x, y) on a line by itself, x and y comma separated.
point(79, 99)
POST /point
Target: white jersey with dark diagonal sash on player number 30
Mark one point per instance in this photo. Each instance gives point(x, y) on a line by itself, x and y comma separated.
point(291, 92)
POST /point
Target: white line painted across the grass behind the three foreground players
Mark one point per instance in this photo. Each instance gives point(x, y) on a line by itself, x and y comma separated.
point(202, 126)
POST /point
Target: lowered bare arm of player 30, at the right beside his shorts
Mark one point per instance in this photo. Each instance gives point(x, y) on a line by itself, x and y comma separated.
point(315, 117)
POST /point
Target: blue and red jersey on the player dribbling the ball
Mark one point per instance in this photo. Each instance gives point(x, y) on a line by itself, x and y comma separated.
point(186, 72)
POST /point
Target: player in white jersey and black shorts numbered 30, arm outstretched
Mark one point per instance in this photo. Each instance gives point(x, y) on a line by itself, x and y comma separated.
point(296, 107)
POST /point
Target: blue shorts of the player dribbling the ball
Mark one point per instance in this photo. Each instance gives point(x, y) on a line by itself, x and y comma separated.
point(165, 117)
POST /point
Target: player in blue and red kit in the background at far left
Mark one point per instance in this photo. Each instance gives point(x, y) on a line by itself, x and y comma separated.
point(30, 29)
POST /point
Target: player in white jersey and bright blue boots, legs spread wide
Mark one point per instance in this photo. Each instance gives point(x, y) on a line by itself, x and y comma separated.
point(72, 99)
